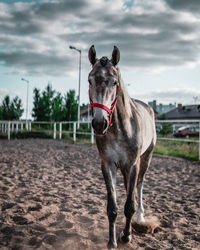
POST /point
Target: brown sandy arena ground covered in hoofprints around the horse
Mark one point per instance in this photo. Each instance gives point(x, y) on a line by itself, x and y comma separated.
point(53, 196)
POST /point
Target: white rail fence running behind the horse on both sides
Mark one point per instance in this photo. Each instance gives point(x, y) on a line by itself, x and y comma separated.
point(7, 127)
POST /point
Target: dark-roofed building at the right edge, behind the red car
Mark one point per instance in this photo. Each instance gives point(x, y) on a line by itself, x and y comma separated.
point(181, 112)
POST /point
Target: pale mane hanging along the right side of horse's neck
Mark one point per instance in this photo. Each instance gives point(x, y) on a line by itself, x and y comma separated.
point(126, 99)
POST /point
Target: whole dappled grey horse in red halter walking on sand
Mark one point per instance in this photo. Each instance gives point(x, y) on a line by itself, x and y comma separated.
point(125, 137)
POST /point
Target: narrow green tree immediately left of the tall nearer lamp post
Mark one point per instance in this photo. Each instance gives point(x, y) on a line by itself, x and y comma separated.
point(71, 106)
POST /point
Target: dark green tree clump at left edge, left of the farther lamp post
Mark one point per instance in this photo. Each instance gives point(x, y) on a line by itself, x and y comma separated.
point(11, 110)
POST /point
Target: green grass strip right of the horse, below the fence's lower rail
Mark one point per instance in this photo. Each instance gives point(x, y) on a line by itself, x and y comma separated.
point(186, 150)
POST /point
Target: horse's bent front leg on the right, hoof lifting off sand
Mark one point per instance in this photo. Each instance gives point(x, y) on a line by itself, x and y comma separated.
point(129, 208)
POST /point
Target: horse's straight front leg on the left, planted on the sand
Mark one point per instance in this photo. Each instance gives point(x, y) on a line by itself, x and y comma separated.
point(109, 173)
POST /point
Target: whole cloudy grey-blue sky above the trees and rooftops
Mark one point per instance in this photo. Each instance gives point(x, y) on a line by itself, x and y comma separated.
point(159, 41)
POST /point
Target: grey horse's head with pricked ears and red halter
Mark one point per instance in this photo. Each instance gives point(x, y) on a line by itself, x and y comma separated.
point(103, 88)
